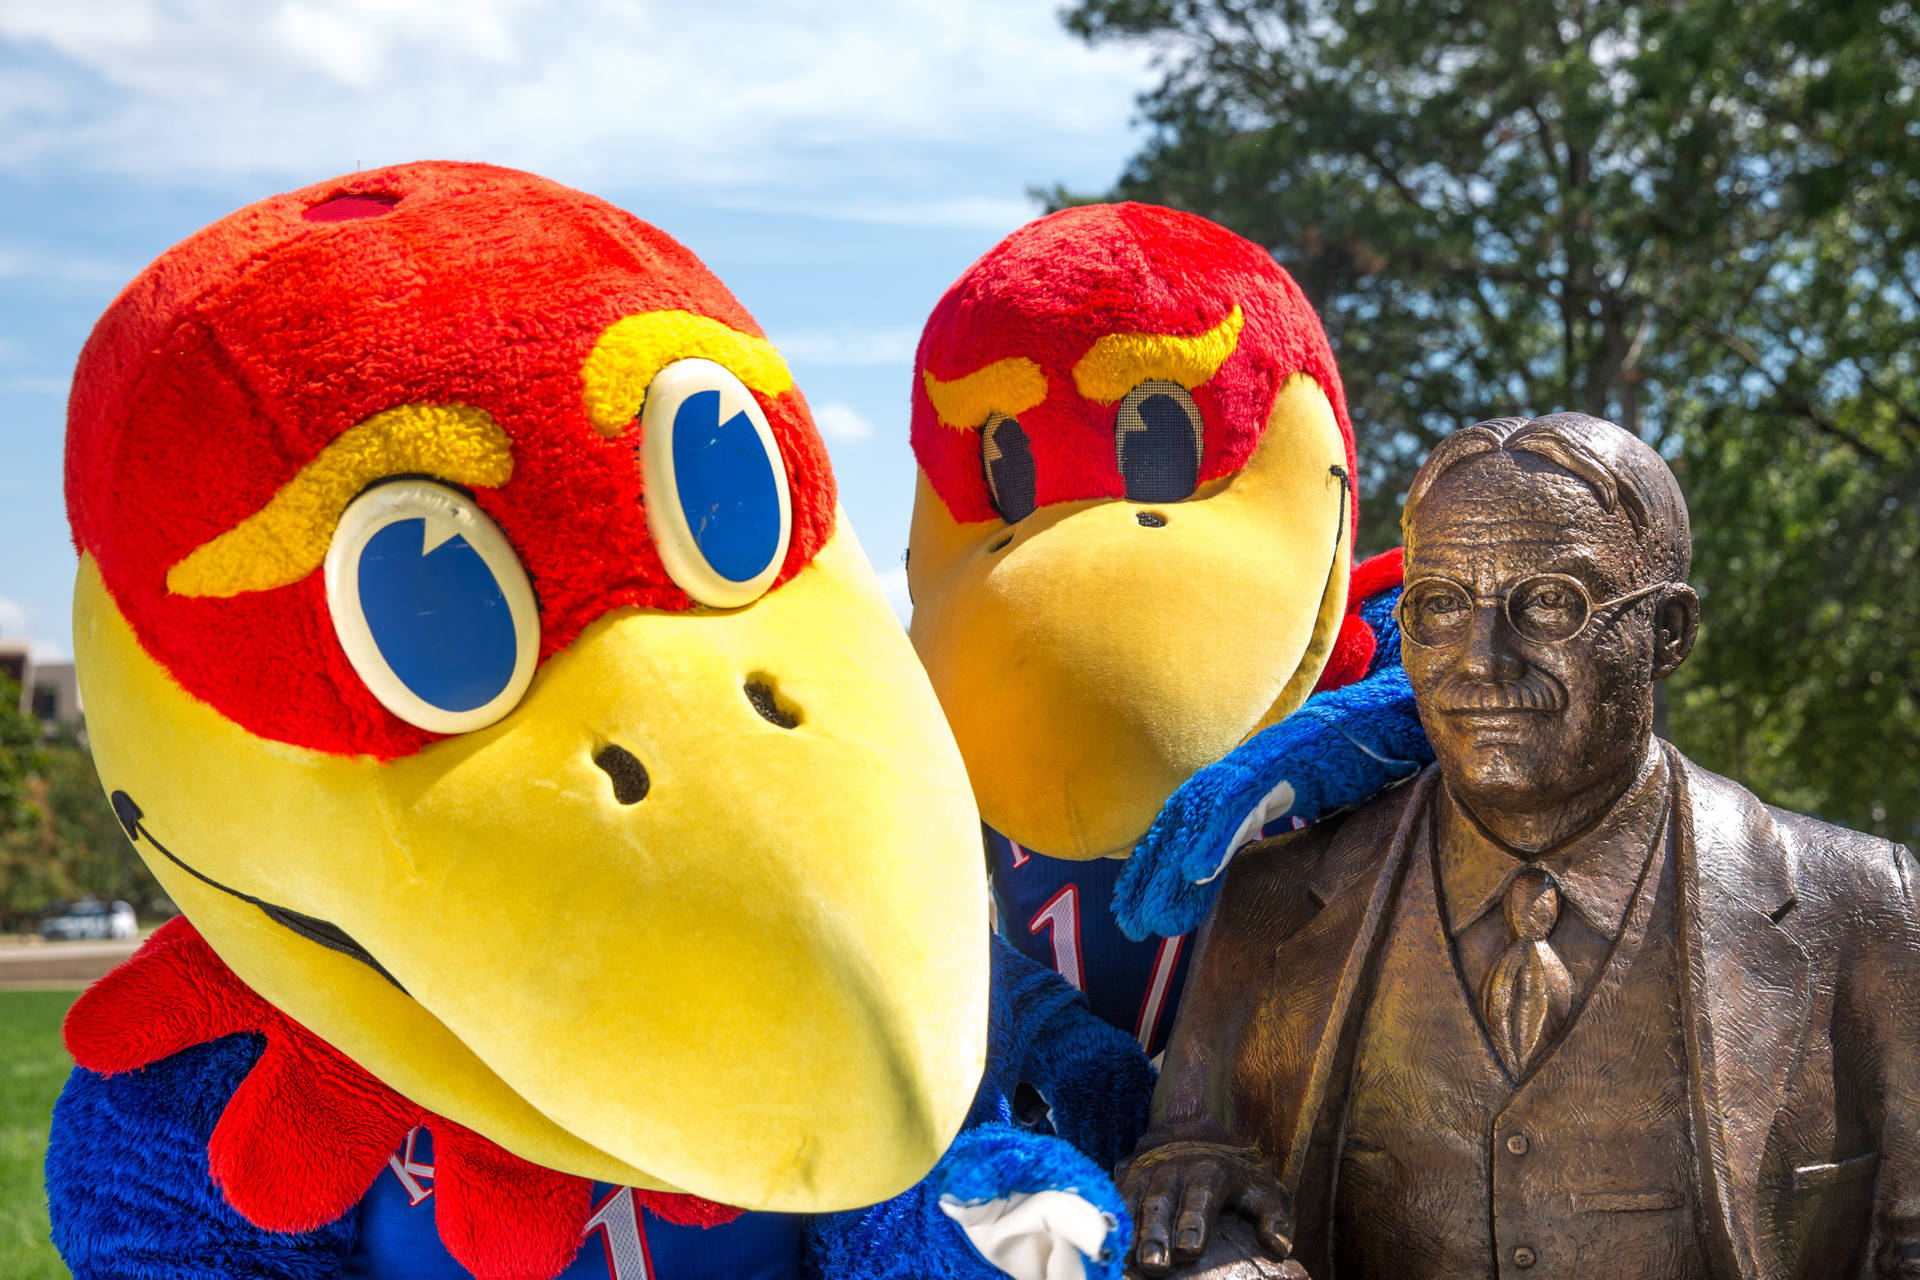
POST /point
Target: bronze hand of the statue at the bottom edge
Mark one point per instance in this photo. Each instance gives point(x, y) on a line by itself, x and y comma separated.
point(1180, 1189)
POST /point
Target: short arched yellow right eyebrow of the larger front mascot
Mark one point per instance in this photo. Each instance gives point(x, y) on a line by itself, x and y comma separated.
point(636, 348)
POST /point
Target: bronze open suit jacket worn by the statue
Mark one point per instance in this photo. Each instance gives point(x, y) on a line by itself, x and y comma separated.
point(1800, 953)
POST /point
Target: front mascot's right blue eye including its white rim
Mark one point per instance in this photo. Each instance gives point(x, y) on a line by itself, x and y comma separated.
point(717, 486)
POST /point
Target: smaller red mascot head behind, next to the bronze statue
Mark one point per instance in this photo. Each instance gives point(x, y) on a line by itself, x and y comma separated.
point(1132, 534)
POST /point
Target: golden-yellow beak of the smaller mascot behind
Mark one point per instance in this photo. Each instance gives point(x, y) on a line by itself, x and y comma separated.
point(1090, 661)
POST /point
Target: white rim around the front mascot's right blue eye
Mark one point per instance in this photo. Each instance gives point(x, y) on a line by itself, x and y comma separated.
point(667, 519)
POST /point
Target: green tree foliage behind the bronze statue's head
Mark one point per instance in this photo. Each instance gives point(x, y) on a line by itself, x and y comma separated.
point(1696, 218)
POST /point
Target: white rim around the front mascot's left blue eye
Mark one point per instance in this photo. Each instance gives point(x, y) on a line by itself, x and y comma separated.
point(416, 500)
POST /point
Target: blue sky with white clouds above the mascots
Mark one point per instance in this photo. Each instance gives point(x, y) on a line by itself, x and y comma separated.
point(836, 170)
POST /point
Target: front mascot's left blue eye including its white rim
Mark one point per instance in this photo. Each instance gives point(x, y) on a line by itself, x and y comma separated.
point(431, 607)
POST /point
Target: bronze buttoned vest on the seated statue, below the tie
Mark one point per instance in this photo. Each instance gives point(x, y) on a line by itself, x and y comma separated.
point(1581, 1168)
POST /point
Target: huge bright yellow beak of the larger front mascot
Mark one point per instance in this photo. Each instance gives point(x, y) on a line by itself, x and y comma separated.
point(763, 982)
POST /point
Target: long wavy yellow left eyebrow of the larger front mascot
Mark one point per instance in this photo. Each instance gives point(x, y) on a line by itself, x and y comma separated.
point(287, 540)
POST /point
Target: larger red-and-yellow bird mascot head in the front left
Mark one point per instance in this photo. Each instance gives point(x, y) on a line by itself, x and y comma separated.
point(468, 625)
